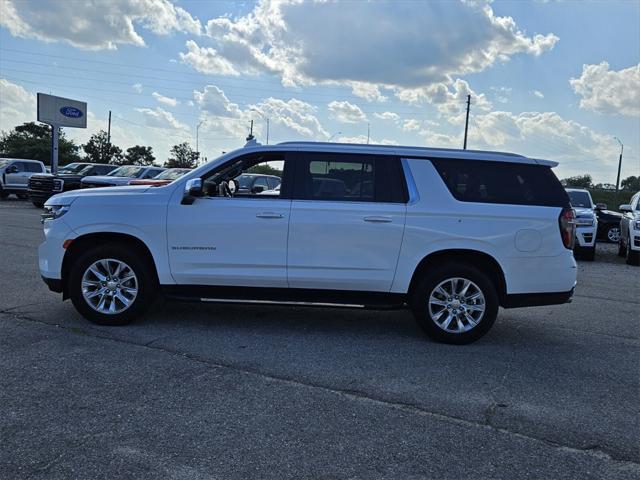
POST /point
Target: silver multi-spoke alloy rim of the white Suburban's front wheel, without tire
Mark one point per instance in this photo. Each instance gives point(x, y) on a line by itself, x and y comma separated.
point(109, 286)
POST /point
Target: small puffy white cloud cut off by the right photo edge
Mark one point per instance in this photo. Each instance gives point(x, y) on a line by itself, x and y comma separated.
point(609, 91)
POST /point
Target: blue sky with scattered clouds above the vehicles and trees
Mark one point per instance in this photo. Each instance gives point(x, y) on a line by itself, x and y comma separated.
point(554, 79)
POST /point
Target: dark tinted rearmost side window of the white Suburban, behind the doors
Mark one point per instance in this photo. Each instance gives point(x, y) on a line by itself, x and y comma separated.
point(501, 182)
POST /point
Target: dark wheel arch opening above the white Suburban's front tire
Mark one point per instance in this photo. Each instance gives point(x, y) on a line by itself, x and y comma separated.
point(81, 243)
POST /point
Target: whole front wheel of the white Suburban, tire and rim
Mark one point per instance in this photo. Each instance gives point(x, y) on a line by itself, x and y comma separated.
point(111, 284)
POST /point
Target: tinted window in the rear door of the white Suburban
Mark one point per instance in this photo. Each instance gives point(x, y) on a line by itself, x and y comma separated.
point(349, 177)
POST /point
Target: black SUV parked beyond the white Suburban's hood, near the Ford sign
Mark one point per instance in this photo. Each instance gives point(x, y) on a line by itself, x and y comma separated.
point(41, 187)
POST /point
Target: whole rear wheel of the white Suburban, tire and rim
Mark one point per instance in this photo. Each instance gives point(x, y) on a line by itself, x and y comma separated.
point(455, 303)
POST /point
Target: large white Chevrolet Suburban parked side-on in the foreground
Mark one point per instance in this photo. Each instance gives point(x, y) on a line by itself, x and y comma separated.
point(451, 234)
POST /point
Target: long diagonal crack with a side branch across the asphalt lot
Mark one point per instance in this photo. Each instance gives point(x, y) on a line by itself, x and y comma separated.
point(360, 396)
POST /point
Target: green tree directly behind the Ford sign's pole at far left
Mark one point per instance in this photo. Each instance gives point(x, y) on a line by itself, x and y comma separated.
point(33, 141)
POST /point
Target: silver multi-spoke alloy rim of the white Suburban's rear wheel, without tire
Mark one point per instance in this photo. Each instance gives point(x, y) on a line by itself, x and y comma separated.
point(456, 305)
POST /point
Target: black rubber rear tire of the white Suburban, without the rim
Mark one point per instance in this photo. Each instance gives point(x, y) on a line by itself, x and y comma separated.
point(421, 293)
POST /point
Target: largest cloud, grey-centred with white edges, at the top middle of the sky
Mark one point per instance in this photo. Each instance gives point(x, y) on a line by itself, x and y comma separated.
point(399, 45)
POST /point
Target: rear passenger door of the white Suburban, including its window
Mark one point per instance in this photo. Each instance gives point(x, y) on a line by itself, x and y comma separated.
point(347, 222)
